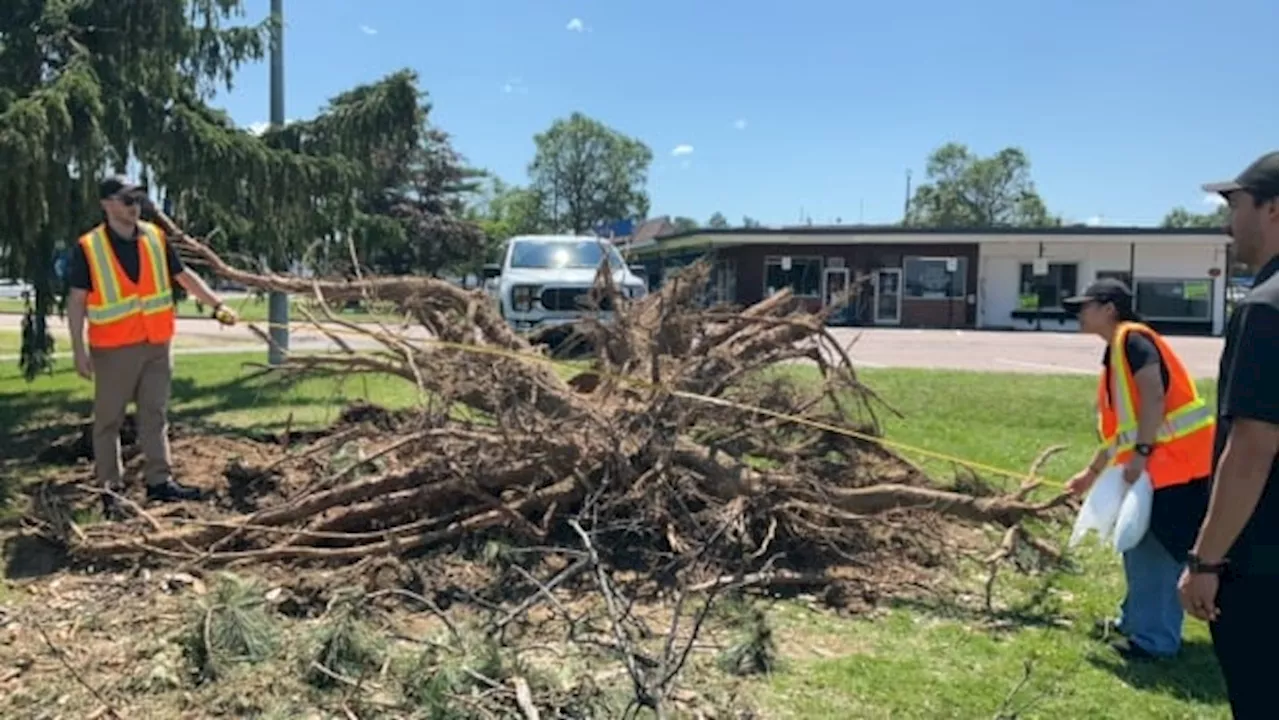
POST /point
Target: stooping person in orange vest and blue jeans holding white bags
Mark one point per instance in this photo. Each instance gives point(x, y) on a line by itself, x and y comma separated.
point(1153, 421)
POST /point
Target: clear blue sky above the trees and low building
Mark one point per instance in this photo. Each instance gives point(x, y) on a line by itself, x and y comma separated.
point(1124, 107)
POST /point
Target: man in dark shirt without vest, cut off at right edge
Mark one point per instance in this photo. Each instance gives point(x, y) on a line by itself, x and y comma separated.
point(1233, 572)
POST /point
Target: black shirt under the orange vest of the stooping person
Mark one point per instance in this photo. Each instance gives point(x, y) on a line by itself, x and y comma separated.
point(1177, 512)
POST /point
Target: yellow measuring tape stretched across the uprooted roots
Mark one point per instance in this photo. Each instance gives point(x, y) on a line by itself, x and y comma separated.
point(707, 399)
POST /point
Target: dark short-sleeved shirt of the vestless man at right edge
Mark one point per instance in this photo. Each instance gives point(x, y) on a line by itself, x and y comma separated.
point(1249, 386)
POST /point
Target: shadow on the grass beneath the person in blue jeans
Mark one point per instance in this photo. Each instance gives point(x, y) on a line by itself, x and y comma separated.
point(1192, 677)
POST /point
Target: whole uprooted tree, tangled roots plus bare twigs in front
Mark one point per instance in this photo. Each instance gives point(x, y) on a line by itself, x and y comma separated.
point(682, 455)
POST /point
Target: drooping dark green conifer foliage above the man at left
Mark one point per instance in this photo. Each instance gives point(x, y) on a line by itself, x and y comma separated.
point(94, 85)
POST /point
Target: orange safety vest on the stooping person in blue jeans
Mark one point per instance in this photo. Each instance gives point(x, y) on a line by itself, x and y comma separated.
point(1185, 445)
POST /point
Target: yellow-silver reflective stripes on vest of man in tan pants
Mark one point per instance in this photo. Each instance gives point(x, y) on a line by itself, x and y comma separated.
point(115, 304)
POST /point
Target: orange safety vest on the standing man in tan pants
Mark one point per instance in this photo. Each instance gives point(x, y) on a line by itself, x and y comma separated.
point(122, 312)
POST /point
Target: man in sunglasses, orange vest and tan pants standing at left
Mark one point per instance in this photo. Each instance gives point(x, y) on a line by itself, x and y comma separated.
point(121, 276)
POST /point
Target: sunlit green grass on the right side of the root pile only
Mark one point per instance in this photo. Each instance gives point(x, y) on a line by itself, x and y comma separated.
point(936, 662)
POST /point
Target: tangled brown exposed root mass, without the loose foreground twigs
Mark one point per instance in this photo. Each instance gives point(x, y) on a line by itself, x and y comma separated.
point(502, 440)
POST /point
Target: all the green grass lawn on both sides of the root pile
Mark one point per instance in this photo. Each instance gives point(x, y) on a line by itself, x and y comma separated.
point(930, 662)
